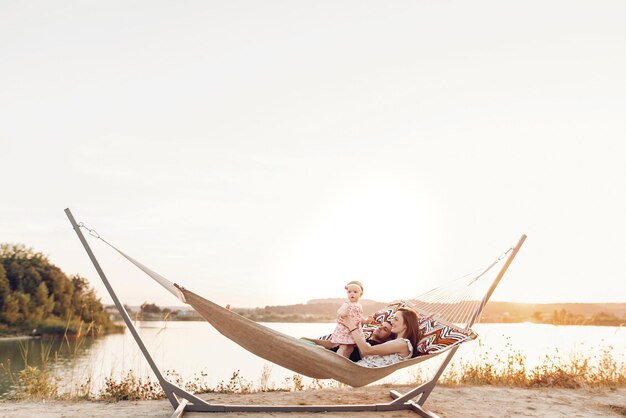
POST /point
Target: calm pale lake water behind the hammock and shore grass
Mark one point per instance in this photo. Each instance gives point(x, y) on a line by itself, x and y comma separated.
point(192, 348)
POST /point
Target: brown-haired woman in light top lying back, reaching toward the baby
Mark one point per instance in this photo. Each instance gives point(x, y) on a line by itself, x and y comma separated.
point(404, 324)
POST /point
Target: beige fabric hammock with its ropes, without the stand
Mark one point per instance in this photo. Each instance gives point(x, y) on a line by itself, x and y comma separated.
point(315, 361)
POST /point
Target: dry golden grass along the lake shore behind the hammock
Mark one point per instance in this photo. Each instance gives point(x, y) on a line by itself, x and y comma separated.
point(509, 369)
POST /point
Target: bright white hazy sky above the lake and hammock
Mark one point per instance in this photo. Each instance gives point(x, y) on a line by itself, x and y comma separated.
point(267, 152)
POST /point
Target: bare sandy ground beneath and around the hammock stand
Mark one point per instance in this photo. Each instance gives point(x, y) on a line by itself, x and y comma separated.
point(481, 401)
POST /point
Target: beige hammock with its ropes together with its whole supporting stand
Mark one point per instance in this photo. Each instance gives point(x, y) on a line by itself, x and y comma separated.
point(455, 307)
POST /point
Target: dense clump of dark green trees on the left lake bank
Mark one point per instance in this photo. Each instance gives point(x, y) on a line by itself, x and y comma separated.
point(37, 297)
